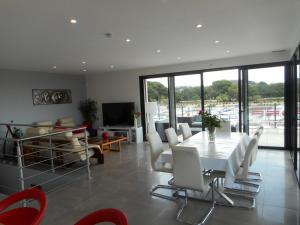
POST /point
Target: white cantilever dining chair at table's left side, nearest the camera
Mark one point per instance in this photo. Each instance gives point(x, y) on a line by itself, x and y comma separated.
point(157, 164)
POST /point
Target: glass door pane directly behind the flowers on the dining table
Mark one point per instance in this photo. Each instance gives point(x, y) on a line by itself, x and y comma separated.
point(221, 95)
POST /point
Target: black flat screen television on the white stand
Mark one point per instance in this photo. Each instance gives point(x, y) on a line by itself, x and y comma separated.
point(118, 114)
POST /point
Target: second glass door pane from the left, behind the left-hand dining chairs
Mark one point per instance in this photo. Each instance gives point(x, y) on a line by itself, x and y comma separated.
point(188, 100)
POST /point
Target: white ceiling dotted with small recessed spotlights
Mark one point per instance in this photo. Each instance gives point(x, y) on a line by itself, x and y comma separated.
point(35, 35)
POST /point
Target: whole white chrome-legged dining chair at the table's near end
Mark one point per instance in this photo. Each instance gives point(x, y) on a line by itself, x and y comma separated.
point(187, 172)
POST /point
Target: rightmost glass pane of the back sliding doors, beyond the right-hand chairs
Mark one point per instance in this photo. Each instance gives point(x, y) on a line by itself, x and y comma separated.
point(266, 104)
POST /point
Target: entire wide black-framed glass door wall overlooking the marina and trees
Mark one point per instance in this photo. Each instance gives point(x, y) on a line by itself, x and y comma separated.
point(246, 96)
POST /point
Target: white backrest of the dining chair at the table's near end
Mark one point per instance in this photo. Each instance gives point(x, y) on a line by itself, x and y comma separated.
point(187, 170)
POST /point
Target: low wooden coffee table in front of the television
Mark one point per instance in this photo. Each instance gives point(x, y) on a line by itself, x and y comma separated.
point(106, 145)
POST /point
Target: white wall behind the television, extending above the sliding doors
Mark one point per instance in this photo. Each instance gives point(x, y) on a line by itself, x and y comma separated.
point(123, 86)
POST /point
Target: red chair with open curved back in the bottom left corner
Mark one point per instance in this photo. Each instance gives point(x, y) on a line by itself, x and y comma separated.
point(23, 215)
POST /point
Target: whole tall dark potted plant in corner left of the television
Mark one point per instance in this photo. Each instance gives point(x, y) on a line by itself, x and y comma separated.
point(89, 110)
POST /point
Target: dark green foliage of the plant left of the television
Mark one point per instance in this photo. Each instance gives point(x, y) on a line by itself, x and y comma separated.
point(89, 109)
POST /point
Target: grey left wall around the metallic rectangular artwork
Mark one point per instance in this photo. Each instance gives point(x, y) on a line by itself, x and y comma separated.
point(16, 96)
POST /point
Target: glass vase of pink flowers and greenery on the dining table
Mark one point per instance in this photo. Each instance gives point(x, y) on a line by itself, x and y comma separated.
point(211, 122)
